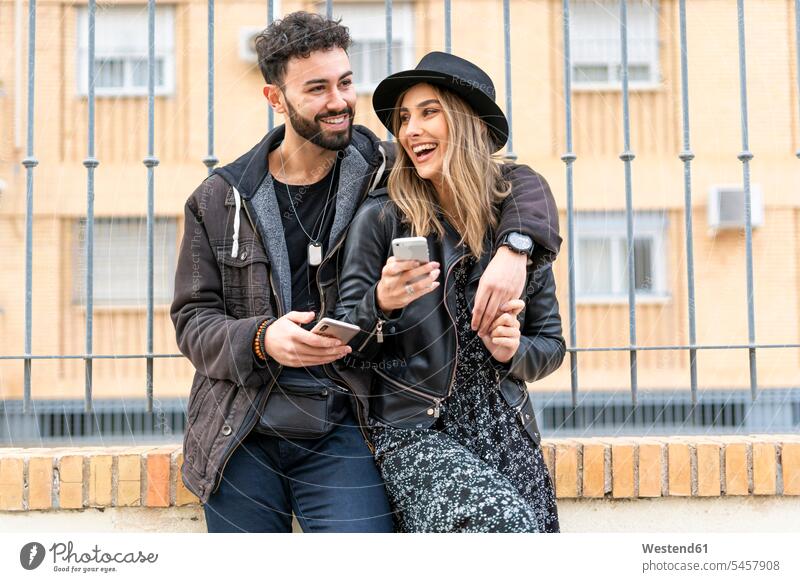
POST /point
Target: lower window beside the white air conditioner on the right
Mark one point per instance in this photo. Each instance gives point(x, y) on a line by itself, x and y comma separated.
point(601, 255)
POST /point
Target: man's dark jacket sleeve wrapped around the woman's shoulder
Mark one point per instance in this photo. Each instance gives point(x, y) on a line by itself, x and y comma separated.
point(530, 209)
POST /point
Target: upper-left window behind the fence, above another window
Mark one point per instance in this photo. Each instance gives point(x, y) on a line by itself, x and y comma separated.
point(120, 59)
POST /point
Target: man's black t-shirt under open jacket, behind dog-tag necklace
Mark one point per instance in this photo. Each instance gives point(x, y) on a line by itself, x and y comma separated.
point(314, 207)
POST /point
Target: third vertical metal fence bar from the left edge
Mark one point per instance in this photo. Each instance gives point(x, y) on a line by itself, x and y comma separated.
point(150, 162)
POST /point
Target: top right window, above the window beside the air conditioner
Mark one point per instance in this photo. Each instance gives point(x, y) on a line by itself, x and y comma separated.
point(596, 49)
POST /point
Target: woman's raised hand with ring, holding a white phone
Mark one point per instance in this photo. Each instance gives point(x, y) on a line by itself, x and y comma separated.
point(395, 289)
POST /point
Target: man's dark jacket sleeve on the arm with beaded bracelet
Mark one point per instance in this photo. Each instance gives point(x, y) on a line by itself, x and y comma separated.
point(218, 345)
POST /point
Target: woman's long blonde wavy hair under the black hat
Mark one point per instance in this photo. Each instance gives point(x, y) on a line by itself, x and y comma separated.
point(471, 174)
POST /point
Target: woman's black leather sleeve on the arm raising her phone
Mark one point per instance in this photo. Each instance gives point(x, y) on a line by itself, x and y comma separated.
point(364, 254)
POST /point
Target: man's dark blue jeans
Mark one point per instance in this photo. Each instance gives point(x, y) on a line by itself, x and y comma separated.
point(331, 484)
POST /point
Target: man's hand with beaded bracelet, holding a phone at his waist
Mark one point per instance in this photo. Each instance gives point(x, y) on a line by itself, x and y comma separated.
point(290, 345)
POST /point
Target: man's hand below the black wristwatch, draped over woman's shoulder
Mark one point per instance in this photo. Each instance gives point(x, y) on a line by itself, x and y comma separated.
point(502, 281)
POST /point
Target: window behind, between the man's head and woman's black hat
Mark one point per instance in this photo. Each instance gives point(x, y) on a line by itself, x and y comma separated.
point(367, 24)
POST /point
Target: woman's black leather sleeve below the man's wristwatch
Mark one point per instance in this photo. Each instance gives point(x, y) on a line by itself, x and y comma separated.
point(542, 347)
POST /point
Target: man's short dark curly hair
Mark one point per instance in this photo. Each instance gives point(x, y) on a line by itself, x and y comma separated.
point(297, 35)
